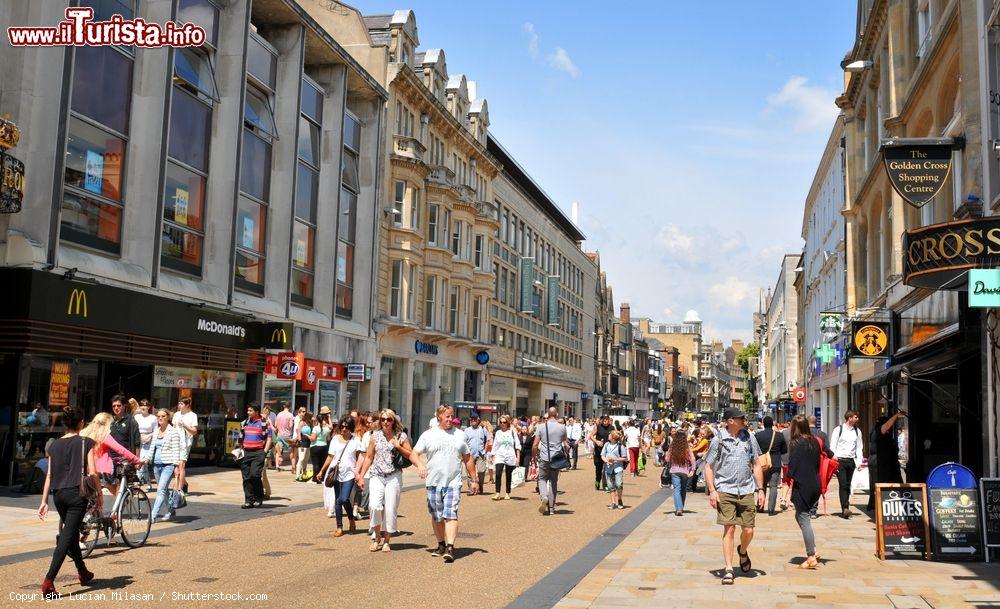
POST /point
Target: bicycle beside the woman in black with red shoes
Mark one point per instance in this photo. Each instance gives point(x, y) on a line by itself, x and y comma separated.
point(130, 516)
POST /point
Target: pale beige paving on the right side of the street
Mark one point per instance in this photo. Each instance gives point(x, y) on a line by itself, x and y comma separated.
point(671, 561)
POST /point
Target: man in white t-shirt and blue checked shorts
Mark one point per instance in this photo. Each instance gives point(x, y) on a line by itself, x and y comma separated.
point(445, 450)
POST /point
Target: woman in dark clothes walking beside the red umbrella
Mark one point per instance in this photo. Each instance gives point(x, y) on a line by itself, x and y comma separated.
point(803, 469)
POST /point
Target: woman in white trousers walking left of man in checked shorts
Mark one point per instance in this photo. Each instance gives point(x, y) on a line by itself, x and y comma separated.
point(384, 480)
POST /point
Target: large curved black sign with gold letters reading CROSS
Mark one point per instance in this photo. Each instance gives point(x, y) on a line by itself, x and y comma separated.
point(938, 257)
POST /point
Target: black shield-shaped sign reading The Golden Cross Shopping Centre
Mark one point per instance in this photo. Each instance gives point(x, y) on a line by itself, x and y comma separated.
point(917, 171)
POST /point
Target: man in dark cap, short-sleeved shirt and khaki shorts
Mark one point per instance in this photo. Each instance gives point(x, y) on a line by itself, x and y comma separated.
point(735, 486)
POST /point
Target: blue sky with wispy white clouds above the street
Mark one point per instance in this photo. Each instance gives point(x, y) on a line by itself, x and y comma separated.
point(688, 132)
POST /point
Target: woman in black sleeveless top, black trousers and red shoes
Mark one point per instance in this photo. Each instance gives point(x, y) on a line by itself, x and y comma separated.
point(71, 459)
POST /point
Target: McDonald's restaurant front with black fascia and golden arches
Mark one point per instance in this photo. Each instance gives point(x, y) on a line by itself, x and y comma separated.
point(65, 341)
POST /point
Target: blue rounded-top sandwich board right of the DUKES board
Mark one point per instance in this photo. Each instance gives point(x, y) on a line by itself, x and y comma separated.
point(955, 524)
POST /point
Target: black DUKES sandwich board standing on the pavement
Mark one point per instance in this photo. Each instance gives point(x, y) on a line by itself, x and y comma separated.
point(901, 524)
